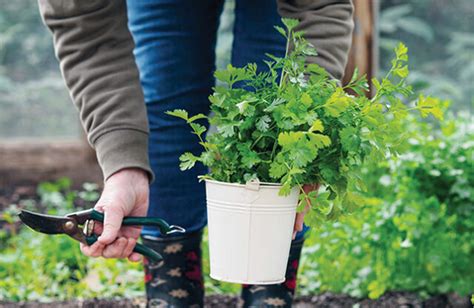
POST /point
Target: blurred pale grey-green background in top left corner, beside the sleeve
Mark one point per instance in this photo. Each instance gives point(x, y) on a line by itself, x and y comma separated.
point(33, 99)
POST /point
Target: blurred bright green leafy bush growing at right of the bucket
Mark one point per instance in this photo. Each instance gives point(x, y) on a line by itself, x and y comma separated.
point(415, 232)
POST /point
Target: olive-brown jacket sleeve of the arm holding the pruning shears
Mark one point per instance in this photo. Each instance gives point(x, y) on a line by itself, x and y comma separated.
point(95, 51)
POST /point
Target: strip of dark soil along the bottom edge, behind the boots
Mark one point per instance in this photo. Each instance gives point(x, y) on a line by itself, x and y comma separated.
point(326, 300)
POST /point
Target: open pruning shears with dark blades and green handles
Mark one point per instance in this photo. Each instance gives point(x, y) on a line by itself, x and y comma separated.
point(80, 226)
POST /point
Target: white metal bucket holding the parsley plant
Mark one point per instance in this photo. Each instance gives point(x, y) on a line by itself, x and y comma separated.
point(250, 231)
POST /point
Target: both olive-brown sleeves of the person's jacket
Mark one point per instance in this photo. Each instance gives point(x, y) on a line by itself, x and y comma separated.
point(95, 51)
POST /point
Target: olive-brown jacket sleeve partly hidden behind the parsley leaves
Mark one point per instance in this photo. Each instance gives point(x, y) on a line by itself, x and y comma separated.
point(327, 25)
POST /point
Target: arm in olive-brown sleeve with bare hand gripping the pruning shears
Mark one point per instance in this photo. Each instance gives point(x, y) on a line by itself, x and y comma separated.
point(95, 51)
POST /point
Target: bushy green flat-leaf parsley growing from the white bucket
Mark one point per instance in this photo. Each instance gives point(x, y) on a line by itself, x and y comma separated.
point(303, 127)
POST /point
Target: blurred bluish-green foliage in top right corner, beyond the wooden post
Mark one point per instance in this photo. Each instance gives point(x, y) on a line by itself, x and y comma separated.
point(440, 37)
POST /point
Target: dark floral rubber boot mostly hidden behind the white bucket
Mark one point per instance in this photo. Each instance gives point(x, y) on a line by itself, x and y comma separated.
point(276, 295)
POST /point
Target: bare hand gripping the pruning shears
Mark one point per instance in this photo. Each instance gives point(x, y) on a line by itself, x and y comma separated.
point(125, 194)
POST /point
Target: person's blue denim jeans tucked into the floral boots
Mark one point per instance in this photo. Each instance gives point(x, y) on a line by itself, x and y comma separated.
point(175, 53)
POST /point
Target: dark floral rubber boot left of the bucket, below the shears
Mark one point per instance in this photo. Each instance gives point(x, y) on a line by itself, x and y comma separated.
point(177, 280)
